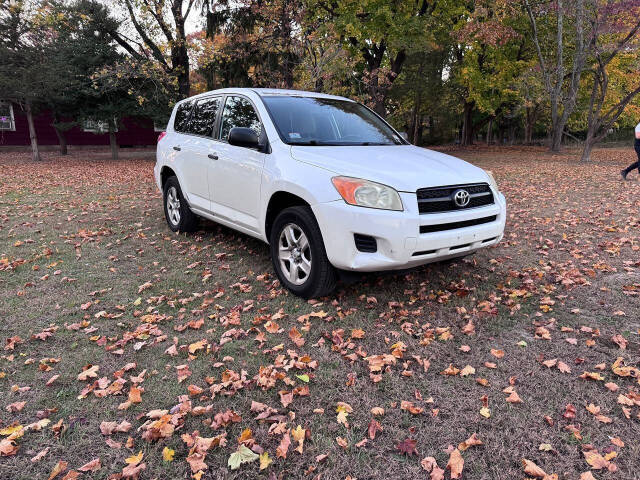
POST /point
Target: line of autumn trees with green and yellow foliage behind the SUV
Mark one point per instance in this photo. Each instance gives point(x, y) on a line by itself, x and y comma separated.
point(440, 70)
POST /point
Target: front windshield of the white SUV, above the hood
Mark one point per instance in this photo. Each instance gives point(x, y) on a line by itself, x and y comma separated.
point(327, 121)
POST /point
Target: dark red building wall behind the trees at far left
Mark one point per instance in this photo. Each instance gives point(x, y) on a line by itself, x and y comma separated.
point(134, 131)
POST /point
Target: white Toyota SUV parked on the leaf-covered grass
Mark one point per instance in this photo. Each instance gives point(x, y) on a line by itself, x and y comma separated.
point(325, 181)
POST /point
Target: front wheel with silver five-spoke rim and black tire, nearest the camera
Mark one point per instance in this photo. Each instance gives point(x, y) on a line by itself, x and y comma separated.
point(308, 273)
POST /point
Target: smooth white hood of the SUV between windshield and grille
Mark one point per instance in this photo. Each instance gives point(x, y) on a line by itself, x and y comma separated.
point(403, 167)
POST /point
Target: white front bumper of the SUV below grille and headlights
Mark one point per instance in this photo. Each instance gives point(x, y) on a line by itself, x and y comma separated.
point(399, 241)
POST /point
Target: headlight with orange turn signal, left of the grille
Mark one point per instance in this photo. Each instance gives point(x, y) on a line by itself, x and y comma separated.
point(363, 193)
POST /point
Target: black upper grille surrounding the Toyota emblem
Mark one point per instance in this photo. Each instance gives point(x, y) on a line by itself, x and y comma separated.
point(440, 199)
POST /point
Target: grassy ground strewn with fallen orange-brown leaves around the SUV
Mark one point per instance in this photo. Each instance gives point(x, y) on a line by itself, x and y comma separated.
point(190, 344)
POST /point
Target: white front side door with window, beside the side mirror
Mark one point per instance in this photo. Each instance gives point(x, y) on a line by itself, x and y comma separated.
point(237, 175)
